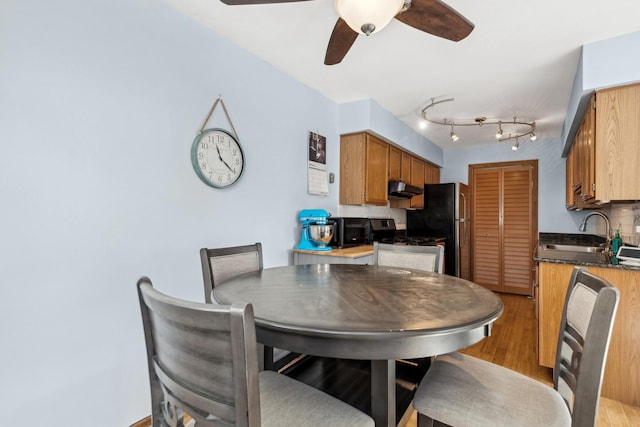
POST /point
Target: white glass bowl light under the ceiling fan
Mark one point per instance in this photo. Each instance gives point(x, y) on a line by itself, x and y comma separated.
point(368, 16)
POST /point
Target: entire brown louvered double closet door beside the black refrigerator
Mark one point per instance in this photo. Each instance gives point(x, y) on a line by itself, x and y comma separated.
point(504, 225)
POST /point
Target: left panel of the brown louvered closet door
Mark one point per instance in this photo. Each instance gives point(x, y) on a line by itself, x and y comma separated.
point(486, 229)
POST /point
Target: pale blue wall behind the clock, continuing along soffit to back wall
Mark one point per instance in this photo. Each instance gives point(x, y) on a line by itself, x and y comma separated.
point(100, 101)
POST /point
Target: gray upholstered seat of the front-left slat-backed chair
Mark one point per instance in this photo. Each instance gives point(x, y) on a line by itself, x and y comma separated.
point(312, 407)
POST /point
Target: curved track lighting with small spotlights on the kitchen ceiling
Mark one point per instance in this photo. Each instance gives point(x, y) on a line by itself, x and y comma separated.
point(515, 128)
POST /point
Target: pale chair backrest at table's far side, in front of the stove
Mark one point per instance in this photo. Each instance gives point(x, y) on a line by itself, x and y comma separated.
point(427, 258)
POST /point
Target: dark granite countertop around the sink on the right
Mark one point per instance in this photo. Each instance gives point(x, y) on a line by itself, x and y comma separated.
point(592, 259)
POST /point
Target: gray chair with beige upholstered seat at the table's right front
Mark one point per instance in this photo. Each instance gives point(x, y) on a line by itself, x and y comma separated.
point(460, 390)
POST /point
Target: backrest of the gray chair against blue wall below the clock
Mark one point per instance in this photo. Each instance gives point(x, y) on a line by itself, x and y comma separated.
point(221, 264)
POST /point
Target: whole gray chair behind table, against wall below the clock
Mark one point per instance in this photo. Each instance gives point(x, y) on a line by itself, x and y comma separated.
point(221, 264)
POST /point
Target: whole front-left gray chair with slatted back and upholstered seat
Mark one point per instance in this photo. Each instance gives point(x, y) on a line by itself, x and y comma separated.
point(202, 361)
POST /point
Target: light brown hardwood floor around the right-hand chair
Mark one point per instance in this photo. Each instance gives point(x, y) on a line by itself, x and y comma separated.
point(512, 344)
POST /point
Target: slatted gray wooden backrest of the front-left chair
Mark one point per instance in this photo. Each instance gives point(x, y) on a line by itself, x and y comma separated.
point(202, 360)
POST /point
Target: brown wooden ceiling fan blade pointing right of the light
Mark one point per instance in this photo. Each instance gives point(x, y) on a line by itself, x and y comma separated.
point(435, 17)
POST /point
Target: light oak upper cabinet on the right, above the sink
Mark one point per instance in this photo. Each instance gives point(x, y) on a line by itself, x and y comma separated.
point(601, 165)
